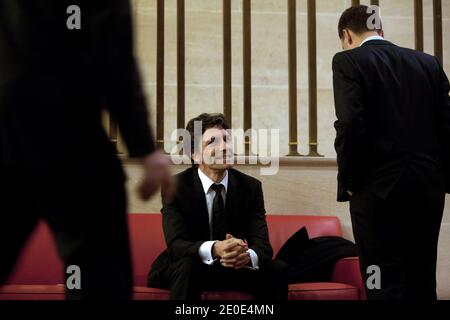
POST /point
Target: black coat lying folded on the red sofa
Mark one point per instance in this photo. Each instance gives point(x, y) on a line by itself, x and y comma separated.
point(313, 260)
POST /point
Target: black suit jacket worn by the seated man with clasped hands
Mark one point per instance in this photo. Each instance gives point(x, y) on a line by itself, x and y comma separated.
point(186, 222)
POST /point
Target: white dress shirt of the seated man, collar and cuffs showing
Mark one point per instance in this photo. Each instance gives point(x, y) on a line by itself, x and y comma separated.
point(205, 250)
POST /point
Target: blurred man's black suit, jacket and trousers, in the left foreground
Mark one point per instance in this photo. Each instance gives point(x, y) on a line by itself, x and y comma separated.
point(56, 161)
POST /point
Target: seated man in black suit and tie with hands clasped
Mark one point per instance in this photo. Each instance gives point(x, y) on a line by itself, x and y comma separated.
point(215, 226)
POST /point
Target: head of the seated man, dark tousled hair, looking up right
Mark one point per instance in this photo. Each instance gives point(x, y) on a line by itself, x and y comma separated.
point(212, 150)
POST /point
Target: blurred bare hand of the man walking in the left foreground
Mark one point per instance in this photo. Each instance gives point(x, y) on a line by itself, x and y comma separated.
point(156, 173)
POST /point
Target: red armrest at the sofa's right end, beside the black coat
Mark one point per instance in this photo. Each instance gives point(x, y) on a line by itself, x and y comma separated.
point(347, 271)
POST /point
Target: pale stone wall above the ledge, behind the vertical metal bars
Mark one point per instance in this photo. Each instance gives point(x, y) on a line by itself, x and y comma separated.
point(269, 59)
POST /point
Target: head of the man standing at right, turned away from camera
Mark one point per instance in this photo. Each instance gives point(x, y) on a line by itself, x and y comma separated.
point(358, 23)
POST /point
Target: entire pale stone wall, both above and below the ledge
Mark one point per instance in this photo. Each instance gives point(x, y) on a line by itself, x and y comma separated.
point(301, 188)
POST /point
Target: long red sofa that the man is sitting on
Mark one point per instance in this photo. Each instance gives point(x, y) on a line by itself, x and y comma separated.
point(39, 272)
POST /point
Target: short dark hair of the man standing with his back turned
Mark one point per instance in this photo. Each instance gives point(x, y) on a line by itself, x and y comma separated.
point(356, 19)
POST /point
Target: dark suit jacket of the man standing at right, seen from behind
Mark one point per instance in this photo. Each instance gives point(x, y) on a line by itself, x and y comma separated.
point(393, 111)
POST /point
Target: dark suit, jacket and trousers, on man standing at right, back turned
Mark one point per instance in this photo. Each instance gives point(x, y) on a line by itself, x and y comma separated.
point(393, 147)
